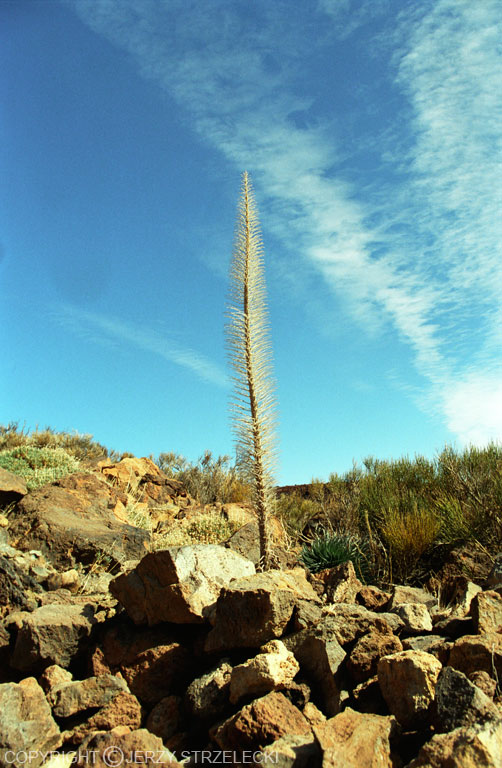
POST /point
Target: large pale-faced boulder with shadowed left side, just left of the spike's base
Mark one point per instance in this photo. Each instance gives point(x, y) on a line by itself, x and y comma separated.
point(180, 584)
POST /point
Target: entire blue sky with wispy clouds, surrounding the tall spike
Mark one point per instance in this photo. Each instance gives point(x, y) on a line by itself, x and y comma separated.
point(372, 131)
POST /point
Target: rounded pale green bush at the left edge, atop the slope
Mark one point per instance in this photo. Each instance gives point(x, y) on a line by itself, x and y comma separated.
point(38, 466)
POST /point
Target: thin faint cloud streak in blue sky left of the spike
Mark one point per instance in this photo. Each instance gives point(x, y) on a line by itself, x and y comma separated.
point(105, 328)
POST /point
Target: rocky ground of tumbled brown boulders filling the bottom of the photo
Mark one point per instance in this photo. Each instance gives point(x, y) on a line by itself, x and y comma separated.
point(187, 654)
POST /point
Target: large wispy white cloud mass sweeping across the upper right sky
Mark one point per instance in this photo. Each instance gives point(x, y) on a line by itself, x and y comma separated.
point(420, 255)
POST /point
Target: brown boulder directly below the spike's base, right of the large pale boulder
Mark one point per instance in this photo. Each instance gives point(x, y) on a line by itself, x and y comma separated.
point(255, 609)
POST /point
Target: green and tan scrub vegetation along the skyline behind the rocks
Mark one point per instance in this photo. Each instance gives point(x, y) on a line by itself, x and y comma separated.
point(397, 520)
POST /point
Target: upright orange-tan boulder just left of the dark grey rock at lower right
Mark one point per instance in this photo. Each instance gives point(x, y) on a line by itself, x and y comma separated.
point(408, 680)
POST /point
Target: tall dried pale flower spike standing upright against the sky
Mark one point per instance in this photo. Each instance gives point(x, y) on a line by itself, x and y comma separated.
point(250, 355)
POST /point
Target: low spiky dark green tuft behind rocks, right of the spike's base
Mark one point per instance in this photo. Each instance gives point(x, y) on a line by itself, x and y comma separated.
point(331, 550)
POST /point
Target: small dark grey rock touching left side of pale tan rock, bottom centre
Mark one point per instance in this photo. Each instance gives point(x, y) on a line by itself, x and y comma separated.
point(208, 695)
